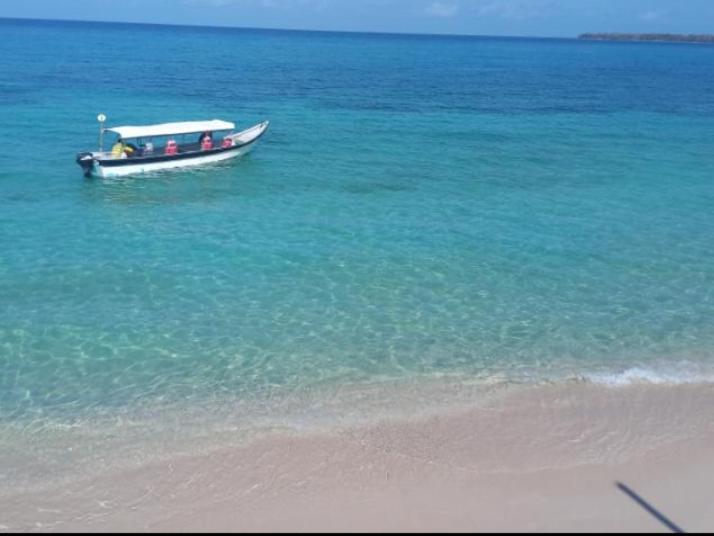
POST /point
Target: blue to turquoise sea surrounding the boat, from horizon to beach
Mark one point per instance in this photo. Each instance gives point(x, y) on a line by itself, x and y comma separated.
point(511, 209)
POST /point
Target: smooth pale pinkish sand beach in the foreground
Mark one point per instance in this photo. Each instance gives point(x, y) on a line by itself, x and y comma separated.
point(540, 458)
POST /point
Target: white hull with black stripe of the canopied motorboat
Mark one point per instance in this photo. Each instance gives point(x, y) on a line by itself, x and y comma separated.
point(111, 168)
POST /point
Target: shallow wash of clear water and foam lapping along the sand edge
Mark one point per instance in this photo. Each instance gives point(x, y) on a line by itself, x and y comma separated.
point(54, 450)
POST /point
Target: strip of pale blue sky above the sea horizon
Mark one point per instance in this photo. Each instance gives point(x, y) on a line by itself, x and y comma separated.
point(537, 18)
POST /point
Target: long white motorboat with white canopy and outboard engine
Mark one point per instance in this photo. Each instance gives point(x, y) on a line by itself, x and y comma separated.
point(176, 146)
